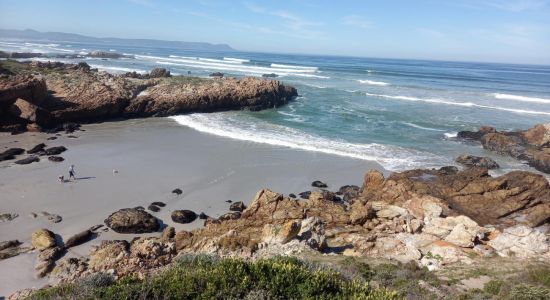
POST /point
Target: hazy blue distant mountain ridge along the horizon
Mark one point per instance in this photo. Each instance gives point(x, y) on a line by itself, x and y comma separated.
point(30, 34)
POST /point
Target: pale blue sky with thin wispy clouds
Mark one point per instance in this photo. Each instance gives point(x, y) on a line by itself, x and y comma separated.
point(511, 31)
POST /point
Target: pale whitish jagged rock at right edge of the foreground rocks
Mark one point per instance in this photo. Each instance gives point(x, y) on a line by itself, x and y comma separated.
point(521, 241)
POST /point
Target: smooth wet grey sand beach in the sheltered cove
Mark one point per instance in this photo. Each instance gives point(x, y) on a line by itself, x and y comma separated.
point(152, 157)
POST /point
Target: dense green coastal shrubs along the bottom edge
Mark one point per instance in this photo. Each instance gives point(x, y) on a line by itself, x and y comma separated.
point(205, 277)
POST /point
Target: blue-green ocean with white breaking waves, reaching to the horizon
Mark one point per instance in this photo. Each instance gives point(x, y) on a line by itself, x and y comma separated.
point(400, 113)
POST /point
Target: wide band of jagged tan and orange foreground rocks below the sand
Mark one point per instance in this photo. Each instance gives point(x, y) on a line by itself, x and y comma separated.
point(436, 218)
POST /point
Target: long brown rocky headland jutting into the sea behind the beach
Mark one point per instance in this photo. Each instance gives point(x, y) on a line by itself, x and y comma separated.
point(75, 93)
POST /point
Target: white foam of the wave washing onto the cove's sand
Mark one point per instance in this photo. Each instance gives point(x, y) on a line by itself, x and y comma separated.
point(222, 124)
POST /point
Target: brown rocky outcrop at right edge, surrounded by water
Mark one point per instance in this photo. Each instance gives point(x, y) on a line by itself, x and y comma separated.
point(531, 145)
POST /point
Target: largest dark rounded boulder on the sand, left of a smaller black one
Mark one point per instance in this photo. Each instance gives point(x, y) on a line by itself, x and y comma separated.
point(131, 220)
